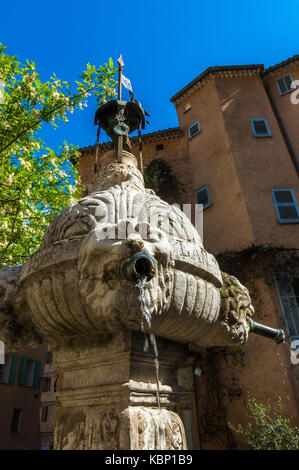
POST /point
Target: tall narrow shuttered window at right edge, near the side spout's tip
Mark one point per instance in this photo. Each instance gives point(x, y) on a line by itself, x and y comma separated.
point(288, 291)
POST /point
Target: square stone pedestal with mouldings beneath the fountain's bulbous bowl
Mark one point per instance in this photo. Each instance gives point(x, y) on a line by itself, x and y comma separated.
point(107, 397)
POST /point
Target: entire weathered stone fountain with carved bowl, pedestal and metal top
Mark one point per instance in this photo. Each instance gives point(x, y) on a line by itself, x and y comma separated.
point(117, 267)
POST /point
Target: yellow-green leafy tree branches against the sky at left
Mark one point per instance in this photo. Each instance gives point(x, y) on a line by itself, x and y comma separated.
point(35, 181)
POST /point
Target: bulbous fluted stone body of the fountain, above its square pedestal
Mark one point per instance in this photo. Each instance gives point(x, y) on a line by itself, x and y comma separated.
point(74, 285)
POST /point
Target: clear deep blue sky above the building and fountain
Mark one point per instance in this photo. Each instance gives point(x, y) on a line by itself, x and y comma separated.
point(165, 44)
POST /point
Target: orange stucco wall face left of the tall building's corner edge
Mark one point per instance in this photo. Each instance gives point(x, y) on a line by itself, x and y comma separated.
point(226, 222)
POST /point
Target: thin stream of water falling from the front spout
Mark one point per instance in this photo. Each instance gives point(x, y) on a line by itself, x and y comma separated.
point(147, 317)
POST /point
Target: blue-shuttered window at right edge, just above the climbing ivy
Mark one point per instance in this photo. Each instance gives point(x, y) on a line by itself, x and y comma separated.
point(285, 205)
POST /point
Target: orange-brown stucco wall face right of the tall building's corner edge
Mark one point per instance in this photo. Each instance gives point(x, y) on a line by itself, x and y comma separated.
point(262, 163)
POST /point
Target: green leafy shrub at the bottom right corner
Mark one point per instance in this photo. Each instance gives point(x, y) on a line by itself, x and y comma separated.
point(268, 430)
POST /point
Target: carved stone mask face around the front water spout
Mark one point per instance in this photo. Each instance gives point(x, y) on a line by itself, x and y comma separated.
point(103, 287)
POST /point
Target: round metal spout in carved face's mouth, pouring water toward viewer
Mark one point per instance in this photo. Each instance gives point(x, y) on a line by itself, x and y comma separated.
point(139, 266)
